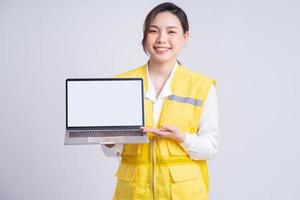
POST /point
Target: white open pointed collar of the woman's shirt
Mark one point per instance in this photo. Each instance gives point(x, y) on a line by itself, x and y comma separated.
point(166, 90)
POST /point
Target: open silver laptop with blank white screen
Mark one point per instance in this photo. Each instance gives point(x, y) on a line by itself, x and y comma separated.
point(104, 111)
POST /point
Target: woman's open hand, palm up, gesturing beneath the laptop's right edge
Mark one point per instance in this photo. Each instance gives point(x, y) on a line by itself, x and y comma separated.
point(167, 131)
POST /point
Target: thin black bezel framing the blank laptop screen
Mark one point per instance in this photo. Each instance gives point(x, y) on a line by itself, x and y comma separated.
point(104, 127)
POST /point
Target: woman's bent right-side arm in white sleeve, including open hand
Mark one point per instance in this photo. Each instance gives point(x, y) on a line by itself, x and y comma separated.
point(204, 144)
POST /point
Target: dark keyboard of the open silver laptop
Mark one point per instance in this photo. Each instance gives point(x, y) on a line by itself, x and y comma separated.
point(106, 133)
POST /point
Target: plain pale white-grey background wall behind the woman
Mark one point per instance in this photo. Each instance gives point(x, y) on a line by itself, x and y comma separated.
point(250, 47)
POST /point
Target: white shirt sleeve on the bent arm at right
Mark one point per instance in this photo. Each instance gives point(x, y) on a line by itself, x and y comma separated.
point(204, 144)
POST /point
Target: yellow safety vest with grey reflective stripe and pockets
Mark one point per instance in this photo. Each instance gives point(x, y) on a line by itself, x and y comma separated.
point(162, 169)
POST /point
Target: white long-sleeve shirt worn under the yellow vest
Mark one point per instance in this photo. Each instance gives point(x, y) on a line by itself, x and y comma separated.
point(200, 146)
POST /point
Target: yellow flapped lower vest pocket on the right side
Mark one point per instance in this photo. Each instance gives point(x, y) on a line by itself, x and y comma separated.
point(187, 183)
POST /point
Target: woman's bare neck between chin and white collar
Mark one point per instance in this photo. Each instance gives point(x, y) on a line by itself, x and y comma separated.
point(161, 68)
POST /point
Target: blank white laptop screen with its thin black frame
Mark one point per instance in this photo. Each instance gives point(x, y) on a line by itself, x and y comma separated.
point(116, 102)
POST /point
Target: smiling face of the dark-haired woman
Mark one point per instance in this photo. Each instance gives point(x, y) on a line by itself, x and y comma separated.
point(165, 38)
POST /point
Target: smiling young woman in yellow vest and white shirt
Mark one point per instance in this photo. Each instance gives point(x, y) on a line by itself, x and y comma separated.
point(181, 119)
